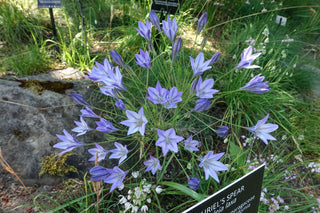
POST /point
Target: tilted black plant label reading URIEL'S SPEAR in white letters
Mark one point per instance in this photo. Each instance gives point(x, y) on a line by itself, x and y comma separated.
point(242, 196)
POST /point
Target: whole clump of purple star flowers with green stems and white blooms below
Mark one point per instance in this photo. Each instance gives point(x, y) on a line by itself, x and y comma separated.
point(156, 119)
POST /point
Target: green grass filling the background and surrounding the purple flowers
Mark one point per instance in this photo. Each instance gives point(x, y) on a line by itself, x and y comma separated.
point(288, 102)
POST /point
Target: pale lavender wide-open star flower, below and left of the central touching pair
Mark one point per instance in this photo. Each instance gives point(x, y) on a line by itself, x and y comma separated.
point(136, 122)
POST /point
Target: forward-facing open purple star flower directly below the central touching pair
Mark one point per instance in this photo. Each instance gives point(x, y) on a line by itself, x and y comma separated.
point(168, 140)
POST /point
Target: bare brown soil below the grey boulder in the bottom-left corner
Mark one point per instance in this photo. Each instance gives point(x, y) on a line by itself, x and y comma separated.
point(14, 197)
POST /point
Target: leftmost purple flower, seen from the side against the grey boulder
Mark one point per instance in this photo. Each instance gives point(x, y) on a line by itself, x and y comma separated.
point(68, 143)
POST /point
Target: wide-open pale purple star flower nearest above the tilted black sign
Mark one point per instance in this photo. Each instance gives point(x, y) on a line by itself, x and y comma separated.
point(211, 165)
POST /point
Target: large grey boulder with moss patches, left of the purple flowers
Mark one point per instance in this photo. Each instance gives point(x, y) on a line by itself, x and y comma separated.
point(32, 116)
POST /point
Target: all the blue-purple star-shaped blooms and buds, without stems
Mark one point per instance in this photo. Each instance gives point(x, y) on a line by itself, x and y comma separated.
point(110, 80)
